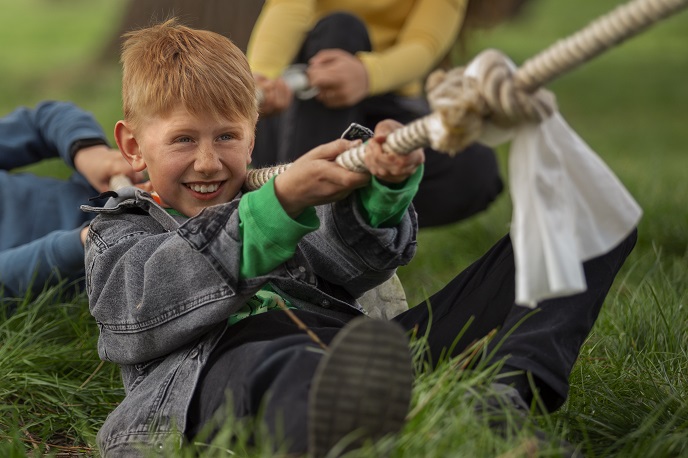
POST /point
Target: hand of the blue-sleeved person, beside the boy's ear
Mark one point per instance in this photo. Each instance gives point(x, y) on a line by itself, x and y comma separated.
point(98, 164)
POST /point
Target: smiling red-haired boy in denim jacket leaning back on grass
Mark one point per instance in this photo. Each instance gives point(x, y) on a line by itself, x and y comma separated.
point(186, 285)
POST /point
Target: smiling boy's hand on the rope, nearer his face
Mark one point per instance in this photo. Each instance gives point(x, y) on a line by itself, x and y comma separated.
point(315, 179)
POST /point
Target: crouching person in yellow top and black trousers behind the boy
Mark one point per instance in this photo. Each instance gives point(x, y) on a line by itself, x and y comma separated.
point(366, 61)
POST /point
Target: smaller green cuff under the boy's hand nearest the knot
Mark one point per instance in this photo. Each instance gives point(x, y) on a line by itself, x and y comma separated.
point(385, 205)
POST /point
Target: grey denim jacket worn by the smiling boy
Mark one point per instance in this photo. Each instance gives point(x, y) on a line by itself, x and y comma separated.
point(161, 289)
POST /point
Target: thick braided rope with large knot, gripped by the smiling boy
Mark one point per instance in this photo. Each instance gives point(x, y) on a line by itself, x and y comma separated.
point(504, 95)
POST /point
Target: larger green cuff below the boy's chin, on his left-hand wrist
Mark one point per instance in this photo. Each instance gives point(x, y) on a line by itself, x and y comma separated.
point(269, 235)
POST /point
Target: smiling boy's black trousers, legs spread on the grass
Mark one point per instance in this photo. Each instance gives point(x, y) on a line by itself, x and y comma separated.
point(267, 363)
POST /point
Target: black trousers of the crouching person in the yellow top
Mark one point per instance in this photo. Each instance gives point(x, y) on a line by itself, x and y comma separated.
point(452, 189)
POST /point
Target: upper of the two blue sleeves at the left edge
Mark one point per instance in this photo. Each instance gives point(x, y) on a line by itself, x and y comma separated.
point(47, 131)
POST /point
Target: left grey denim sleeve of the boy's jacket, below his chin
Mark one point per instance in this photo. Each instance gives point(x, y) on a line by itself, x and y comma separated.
point(152, 291)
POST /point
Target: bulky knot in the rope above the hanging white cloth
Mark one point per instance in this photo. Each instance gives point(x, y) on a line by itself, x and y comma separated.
point(464, 100)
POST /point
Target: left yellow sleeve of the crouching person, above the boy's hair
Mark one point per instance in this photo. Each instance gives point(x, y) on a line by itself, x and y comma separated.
point(278, 35)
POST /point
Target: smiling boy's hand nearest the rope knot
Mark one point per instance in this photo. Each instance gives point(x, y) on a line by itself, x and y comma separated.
point(390, 167)
